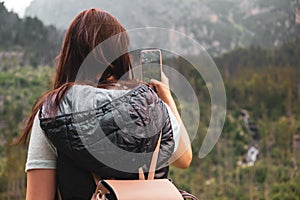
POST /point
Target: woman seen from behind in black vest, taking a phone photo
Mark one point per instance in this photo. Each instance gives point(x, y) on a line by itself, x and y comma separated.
point(51, 164)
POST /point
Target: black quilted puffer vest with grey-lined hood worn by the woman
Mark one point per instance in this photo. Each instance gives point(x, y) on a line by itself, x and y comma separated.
point(111, 137)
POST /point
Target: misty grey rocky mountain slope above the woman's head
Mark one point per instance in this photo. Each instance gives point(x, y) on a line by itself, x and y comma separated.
point(218, 25)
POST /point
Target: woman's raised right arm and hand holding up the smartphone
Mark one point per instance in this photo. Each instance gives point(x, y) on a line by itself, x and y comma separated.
point(182, 157)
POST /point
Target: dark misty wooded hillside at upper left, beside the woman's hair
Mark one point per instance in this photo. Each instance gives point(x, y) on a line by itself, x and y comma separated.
point(26, 41)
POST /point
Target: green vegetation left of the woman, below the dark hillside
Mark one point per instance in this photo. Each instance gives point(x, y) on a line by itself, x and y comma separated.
point(19, 89)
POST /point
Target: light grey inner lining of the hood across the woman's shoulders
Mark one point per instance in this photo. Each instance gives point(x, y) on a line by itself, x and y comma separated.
point(79, 98)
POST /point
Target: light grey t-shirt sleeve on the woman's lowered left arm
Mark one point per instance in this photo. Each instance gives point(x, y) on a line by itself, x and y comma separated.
point(41, 154)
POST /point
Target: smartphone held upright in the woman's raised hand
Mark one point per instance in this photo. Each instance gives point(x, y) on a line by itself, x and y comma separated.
point(151, 62)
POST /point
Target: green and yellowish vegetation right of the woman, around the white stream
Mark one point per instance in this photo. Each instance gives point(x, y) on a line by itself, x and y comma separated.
point(271, 95)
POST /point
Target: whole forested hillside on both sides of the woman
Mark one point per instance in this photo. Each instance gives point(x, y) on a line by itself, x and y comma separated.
point(263, 113)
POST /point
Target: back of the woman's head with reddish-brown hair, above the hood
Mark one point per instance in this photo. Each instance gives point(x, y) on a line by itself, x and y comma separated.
point(89, 29)
